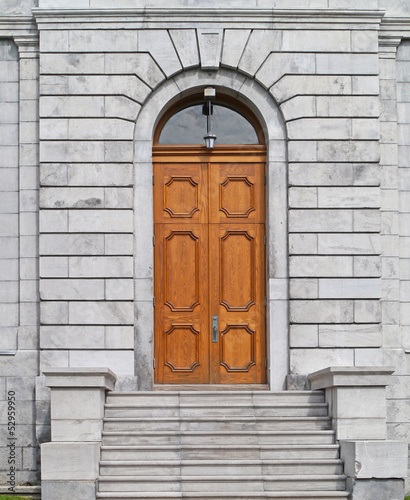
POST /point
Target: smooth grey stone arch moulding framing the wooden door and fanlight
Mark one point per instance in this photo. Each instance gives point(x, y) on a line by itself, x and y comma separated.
point(261, 103)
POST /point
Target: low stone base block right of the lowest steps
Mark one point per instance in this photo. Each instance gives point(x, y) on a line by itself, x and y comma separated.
point(376, 489)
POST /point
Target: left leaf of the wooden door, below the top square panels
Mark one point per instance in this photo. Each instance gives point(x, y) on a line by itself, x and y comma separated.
point(181, 303)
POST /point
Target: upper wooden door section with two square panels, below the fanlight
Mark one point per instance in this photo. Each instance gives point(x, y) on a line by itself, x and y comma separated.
point(209, 192)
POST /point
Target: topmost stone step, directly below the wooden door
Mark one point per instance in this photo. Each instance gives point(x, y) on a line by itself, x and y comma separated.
point(215, 398)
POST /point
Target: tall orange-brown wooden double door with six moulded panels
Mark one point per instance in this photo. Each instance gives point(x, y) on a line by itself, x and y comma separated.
point(209, 226)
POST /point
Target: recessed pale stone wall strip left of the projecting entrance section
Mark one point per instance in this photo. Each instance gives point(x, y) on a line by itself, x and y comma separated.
point(18, 254)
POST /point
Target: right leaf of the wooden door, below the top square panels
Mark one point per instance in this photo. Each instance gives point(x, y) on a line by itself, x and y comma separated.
point(241, 309)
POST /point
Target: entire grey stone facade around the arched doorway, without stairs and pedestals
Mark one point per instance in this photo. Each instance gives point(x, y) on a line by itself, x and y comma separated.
point(81, 92)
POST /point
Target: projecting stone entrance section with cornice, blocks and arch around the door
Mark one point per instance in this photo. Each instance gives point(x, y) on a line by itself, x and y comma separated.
point(108, 118)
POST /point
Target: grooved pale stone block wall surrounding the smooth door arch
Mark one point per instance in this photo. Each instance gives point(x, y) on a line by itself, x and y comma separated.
point(330, 104)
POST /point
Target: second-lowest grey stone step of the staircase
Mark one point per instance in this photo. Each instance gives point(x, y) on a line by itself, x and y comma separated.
point(216, 483)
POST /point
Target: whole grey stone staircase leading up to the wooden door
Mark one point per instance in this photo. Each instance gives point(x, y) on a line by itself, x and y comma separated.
point(219, 445)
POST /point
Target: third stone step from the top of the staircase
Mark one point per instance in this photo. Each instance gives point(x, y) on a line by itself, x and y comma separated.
point(217, 423)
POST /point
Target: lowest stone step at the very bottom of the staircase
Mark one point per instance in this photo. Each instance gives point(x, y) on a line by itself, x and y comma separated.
point(277, 495)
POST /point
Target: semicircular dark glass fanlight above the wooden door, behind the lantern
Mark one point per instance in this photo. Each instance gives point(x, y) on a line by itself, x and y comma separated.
point(188, 126)
